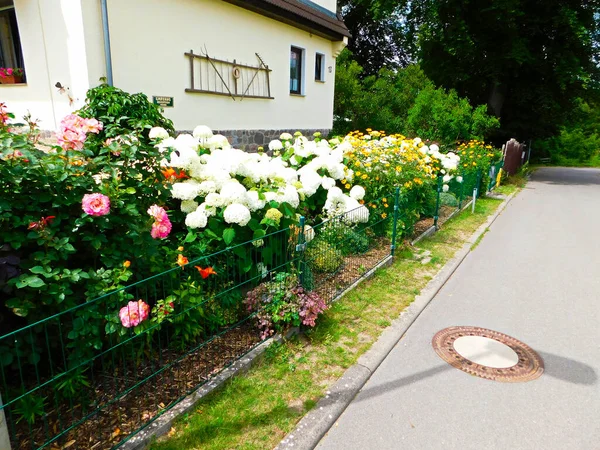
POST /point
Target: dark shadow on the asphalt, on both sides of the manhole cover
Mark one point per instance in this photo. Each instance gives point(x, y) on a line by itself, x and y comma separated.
point(555, 366)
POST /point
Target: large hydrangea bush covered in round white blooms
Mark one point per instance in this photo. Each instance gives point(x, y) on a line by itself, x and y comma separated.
point(237, 196)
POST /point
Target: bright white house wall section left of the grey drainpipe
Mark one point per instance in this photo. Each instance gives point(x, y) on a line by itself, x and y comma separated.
point(54, 51)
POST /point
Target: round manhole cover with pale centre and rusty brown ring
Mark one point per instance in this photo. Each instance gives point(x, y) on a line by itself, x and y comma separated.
point(488, 354)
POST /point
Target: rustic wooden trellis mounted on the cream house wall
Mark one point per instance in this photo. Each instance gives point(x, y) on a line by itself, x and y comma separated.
point(218, 77)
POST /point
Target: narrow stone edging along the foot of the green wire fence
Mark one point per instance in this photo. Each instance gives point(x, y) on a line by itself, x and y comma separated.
point(162, 424)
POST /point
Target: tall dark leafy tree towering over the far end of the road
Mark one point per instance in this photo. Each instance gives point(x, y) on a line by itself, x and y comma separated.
point(528, 60)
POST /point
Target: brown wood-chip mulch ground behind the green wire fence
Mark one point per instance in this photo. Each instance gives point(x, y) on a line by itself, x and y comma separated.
point(146, 394)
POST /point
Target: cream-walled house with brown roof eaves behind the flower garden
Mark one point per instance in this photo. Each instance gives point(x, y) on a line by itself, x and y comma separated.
point(247, 68)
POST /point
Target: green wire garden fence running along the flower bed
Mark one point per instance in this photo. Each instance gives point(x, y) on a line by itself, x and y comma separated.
point(83, 376)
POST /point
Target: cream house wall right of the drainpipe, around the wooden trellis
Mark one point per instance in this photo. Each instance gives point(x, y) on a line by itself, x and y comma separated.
point(149, 39)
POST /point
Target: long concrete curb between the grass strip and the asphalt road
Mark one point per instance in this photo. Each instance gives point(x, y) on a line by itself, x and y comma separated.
point(311, 429)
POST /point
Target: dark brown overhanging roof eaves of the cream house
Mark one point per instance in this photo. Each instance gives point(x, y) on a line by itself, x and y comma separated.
point(302, 14)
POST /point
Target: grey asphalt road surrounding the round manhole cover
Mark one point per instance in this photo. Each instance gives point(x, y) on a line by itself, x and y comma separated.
point(534, 276)
